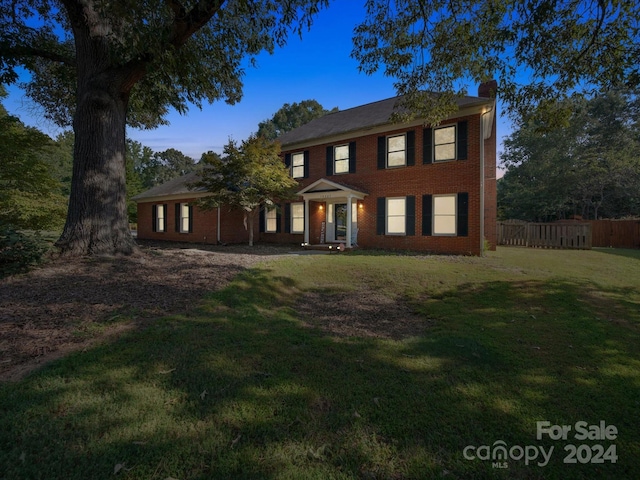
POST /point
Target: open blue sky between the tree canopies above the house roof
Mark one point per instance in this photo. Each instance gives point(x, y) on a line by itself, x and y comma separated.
point(318, 66)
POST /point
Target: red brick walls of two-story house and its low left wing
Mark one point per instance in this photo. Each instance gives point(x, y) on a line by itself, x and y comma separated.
point(431, 179)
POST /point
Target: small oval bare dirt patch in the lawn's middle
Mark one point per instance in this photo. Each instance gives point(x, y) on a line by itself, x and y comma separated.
point(363, 313)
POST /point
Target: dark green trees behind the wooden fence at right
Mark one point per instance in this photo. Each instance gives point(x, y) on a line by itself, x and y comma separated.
point(589, 168)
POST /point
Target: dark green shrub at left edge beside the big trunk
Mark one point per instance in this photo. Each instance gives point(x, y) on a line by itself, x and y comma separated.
point(19, 251)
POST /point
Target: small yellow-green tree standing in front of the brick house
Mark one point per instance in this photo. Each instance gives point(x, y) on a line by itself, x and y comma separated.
point(249, 177)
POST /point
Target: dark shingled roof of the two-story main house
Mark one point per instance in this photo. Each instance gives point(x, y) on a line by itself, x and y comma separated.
point(357, 118)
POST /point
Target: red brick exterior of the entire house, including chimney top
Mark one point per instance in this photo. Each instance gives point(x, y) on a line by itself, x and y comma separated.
point(420, 181)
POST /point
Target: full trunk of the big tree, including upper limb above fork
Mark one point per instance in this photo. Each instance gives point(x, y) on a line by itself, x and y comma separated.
point(97, 221)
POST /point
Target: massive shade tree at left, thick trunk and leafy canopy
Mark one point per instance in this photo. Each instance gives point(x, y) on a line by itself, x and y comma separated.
point(107, 64)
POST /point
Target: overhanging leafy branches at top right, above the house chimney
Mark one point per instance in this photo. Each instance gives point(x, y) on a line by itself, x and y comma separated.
point(540, 51)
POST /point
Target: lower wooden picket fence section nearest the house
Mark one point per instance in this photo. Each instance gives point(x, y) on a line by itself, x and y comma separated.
point(545, 235)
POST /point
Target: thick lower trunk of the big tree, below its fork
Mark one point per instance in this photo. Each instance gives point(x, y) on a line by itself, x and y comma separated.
point(97, 220)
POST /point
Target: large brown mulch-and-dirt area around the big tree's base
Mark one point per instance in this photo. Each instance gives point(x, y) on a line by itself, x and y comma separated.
point(68, 305)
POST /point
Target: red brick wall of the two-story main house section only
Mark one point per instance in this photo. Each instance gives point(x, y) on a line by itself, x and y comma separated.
point(432, 179)
